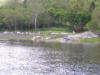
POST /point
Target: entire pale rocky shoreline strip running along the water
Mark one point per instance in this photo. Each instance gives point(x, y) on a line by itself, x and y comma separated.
point(52, 37)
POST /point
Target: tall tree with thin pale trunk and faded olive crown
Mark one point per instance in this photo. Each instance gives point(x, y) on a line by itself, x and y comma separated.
point(35, 8)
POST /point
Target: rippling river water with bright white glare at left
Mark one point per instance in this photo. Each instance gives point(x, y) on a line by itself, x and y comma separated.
point(31, 58)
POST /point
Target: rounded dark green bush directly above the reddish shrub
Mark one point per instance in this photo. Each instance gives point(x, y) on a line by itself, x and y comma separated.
point(79, 18)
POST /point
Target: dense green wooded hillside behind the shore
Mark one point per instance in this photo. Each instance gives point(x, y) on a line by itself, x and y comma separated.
point(33, 14)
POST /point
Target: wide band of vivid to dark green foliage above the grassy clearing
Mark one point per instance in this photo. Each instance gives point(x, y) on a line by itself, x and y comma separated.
point(74, 18)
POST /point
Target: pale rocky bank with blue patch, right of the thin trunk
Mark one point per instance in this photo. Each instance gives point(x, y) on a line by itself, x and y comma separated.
point(65, 37)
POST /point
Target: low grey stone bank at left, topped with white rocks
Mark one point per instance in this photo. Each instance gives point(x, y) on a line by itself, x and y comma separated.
point(15, 35)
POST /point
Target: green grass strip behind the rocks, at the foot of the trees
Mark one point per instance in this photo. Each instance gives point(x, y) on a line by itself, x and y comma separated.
point(57, 28)
